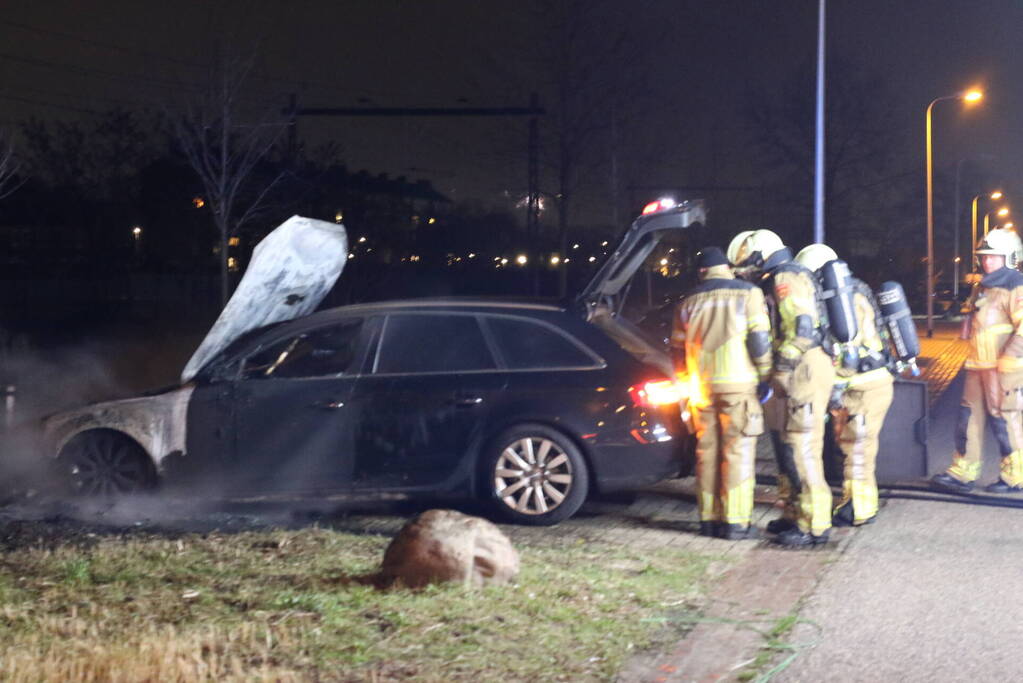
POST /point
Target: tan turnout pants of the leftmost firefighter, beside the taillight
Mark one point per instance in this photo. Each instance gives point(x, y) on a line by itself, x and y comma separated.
point(727, 443)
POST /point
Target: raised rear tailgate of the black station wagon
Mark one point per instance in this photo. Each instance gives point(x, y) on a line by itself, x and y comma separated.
point(642, 239)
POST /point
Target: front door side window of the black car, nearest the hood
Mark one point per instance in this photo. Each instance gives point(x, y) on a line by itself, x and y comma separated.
point(329, 352)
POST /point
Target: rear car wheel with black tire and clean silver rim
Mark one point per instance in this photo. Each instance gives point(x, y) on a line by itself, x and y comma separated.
point(536, 476)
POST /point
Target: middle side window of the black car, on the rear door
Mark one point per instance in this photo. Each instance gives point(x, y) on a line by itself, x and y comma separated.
point(426, 343)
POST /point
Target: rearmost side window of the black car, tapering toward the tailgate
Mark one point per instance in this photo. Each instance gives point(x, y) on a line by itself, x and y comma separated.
point(526, 345)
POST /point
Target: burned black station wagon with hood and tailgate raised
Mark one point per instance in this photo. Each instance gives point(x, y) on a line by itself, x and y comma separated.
point(528, 406)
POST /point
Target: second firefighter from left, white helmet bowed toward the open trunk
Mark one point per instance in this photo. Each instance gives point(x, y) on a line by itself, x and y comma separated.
point(803, 381)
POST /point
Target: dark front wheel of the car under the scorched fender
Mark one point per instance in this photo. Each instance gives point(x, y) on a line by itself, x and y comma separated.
point(107, 464)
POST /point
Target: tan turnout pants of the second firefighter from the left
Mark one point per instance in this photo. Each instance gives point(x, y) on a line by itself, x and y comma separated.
point(796, 419)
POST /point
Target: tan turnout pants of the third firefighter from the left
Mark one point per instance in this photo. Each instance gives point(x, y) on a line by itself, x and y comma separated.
point(858, 426)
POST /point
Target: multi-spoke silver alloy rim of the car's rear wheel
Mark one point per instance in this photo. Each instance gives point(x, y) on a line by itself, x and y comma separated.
point(533, 476)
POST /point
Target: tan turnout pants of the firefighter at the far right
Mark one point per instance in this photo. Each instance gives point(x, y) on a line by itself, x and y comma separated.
point(985, 399)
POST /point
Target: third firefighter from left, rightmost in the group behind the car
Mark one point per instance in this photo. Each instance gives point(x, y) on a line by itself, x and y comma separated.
point(863, 394)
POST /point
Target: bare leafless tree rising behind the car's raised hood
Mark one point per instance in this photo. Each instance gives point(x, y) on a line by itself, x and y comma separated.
point(227, 141)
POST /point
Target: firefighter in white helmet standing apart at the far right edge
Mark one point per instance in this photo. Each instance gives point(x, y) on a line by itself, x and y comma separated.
point(995, 372)
